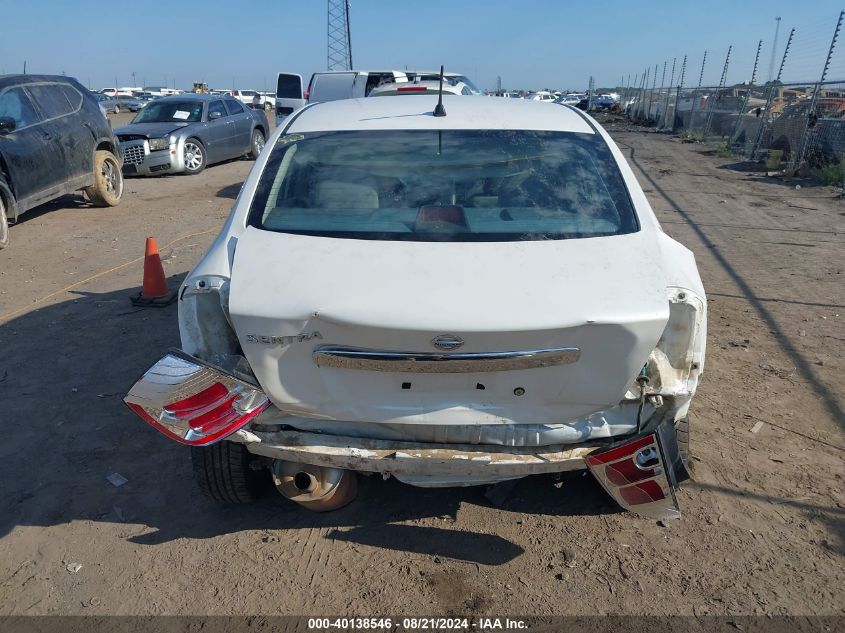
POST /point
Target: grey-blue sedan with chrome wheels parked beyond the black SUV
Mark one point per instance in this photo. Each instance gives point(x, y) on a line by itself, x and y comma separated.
point(184, 133)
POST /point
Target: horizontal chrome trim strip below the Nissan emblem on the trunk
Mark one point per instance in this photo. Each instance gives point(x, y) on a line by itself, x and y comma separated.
point(426, 362)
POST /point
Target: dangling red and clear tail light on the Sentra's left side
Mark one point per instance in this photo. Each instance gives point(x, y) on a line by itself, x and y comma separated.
point(192, 402)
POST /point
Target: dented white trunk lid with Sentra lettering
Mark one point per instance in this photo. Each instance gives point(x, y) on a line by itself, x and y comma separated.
point(291, 294)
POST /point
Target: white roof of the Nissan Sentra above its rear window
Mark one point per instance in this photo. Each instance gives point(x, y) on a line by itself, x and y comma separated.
point(462, 113)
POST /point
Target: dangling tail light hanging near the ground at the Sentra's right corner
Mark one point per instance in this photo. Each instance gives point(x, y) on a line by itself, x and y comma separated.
point(643, 473)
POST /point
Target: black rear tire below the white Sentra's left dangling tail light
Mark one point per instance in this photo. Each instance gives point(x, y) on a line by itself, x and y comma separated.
point(223, 473)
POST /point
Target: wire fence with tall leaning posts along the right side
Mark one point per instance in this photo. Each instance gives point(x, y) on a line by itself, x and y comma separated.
point(792, 121)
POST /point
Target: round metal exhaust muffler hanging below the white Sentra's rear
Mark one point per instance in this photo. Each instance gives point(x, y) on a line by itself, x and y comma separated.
point(317, 488)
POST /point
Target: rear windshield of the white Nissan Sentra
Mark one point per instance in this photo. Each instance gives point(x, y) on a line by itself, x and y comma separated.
point(452, 185)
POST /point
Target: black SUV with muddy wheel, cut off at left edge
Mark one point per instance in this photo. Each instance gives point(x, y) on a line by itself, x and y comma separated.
point(54, 140)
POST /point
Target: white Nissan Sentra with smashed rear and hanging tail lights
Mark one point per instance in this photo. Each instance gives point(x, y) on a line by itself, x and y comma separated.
point(449, 300)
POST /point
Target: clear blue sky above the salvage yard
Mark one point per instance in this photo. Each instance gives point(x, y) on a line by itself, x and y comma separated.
point(529, 43)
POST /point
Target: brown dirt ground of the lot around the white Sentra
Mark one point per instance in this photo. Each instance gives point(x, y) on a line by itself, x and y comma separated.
point(763, 529)
